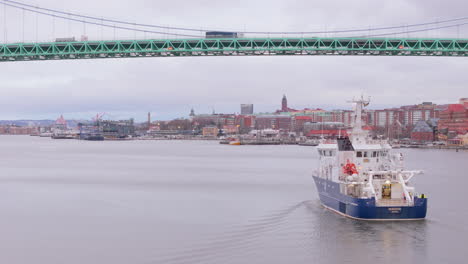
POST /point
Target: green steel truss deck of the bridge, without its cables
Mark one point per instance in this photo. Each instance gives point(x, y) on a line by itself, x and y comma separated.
point(233, 47)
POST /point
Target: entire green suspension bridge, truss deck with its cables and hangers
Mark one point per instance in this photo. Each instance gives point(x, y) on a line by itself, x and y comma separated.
point(192, 42)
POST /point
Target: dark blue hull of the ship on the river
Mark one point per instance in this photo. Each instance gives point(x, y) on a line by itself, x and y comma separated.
point(366, 209)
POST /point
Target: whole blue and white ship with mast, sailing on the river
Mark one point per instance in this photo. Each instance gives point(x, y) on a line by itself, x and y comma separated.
point(361, 178)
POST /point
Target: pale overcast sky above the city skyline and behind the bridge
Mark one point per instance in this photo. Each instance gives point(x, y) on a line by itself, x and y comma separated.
point(169, 87)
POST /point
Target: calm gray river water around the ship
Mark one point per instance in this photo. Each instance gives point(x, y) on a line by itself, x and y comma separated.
point(67, 201)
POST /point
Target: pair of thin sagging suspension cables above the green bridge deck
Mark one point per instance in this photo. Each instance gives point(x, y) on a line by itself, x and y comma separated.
point(101, 20)
